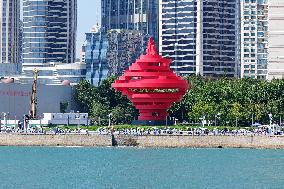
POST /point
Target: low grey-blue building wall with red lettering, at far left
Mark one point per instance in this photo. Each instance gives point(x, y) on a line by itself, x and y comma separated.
point(15, 99)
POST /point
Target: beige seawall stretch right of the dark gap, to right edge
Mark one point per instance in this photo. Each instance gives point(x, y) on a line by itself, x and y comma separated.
point(202, 141)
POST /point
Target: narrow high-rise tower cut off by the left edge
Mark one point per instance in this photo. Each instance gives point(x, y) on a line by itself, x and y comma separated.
point(9, 31)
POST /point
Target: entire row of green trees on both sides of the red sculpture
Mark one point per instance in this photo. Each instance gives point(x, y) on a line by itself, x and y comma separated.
point(226, 101)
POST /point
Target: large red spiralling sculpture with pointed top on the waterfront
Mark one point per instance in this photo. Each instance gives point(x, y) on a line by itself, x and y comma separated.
point(151, 85)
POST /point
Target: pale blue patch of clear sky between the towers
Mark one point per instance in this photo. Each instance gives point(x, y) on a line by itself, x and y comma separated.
point(88, 15)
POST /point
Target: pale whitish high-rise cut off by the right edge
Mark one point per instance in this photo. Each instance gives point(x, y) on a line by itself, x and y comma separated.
point(276, 39)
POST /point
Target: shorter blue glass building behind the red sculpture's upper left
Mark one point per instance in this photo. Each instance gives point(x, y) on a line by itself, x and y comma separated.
point(110, 53)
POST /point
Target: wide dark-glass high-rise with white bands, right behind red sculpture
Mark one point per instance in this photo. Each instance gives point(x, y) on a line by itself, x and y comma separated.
point(201, 36)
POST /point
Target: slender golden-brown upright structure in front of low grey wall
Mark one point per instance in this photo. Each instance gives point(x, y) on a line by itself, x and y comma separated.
point(33, 102)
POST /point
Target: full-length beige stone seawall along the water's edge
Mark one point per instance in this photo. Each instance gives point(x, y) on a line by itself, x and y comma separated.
point(145, 141)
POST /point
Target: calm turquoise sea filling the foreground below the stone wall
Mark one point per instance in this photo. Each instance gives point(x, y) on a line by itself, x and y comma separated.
point(41, 167)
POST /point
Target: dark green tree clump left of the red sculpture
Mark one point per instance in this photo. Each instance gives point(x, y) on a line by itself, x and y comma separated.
point(102, 101)
